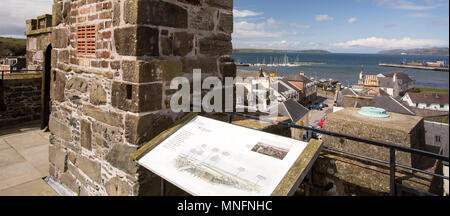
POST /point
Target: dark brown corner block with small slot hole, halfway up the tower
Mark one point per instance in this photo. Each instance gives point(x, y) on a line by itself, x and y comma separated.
point(137, 98)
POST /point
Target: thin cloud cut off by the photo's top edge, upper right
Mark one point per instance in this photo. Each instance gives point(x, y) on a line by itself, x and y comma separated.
point(407, 4)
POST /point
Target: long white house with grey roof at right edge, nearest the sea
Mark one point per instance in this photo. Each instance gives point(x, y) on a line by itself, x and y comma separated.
point(437, 102)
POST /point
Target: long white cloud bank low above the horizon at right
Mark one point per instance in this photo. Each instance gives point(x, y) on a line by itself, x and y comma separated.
point(382, 43)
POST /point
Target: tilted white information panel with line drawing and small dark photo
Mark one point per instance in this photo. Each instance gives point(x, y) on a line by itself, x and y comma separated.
point(207, 157)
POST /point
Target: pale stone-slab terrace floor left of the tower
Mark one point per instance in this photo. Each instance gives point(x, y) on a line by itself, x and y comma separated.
point(24, 161)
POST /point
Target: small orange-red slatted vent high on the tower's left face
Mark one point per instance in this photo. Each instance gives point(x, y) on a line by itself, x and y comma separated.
point(86, 39)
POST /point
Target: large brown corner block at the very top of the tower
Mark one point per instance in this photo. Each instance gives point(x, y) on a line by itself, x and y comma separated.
point(155, 13)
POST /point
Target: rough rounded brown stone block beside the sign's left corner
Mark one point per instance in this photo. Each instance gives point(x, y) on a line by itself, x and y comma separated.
point(119, 157)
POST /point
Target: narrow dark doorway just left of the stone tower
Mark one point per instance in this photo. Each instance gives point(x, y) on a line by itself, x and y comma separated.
point(45, 93)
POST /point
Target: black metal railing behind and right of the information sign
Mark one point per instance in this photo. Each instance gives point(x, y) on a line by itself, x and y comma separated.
point(395, 188)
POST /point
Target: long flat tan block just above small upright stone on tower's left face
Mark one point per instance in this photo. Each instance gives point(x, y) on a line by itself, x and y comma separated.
point(107, 117)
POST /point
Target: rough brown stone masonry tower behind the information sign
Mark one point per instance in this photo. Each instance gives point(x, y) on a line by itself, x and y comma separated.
point(112, 62)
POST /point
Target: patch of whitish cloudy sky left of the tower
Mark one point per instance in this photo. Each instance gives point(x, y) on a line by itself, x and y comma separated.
point(14, 13)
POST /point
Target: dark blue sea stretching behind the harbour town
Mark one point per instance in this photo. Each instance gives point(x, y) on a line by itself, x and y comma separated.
point(346, 67)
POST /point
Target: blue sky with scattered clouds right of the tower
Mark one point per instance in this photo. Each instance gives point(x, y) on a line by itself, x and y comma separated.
point(358, 26)
